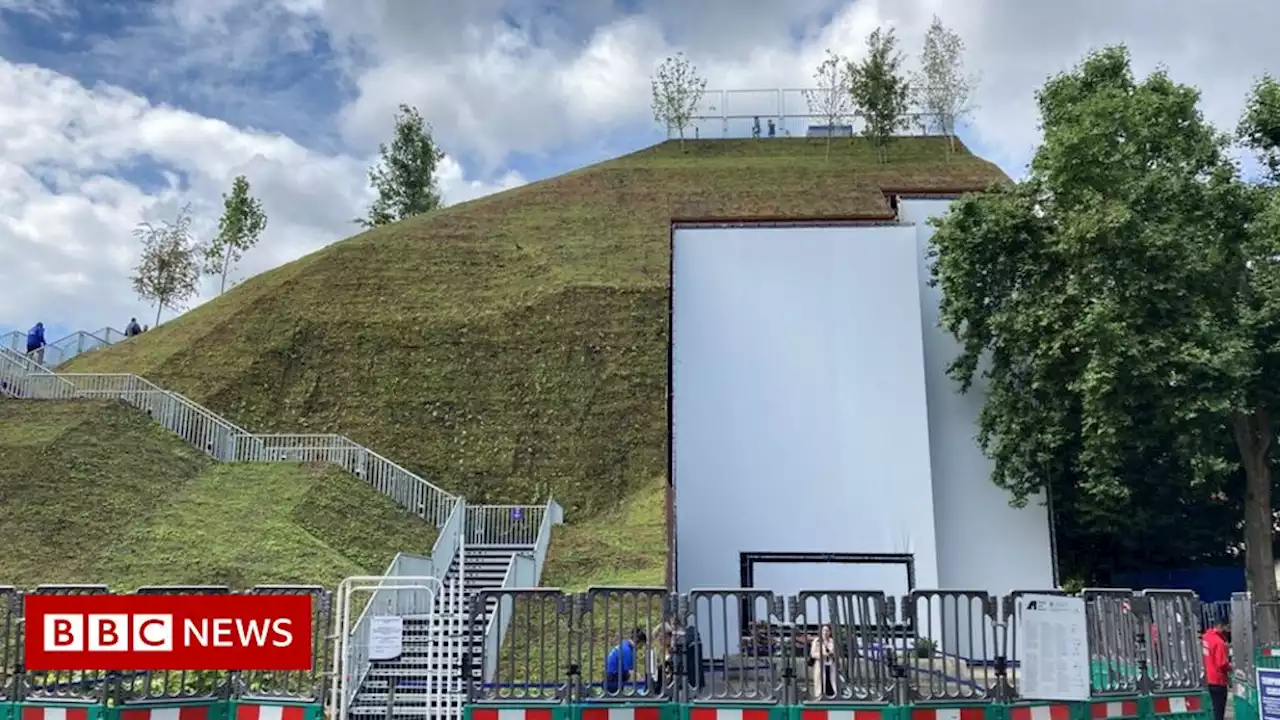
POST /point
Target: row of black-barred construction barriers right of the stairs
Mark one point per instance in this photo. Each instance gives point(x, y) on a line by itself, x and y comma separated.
point(820, 655)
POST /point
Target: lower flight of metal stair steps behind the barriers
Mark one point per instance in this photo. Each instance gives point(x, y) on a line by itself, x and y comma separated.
point(428, 673)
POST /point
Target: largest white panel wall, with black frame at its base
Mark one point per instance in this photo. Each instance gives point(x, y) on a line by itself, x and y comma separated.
point(799, 402)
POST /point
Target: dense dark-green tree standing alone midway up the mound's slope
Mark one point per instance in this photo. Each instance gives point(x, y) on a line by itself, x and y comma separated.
point(405, 175)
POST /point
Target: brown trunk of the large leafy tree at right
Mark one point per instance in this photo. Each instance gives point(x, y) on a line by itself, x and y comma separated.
point(1254, 440)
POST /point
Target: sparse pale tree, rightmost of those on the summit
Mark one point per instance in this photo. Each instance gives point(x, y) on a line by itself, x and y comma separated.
point(943, 86)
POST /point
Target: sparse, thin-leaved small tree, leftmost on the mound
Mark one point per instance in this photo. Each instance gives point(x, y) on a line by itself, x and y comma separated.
point(168, 274)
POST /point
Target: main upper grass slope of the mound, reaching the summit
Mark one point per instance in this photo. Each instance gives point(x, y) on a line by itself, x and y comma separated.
point(515, 345)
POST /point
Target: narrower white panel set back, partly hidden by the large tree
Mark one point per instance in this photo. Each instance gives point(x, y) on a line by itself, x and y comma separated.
point(984, 544)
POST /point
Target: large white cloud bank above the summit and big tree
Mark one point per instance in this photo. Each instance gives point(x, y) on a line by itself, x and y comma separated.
point(488, 89)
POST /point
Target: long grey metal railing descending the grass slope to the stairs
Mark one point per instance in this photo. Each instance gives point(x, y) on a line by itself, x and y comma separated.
point(226, 441)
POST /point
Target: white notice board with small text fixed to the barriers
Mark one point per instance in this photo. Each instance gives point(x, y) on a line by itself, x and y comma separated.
point(1053, 649)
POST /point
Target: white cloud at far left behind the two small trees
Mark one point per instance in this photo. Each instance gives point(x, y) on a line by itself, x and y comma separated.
point(67, 207)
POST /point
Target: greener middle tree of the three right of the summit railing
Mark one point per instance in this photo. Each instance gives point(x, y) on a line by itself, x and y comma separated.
point(880, 92)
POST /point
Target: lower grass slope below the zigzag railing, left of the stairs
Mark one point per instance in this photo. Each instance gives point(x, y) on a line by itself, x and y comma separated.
point(95, 493)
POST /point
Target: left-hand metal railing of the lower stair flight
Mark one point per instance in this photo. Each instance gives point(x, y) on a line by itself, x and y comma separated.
point(400, 603)
